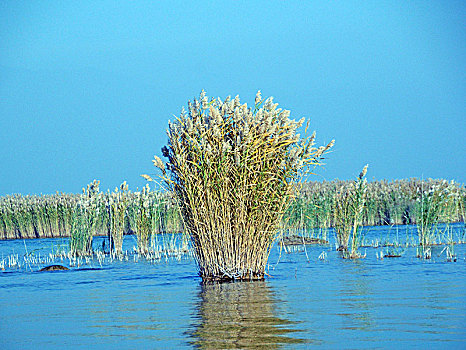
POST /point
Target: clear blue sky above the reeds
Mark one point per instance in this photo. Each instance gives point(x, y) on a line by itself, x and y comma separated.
point(87, 87)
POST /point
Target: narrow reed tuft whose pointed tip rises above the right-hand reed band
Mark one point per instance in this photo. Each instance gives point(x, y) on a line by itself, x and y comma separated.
point(348, 211)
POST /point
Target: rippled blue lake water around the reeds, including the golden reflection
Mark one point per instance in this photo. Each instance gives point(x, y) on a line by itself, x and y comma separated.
point(306, 302)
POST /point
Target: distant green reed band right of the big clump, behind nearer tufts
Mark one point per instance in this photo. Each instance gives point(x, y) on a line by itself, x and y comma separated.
point(398, 202)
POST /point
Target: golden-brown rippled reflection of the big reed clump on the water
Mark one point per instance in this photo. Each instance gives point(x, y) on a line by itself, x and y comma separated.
point(239, 315)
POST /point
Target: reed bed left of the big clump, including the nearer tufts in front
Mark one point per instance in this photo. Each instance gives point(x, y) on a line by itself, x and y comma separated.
point(91, 213)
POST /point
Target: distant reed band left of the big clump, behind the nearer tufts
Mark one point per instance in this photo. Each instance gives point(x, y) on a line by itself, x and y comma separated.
point(55, 215)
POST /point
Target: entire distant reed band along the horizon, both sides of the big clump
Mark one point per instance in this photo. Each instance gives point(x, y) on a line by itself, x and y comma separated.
point(388, 203)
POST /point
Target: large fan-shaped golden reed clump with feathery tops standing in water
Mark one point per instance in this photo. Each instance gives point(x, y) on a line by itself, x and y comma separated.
point(233, 170)
